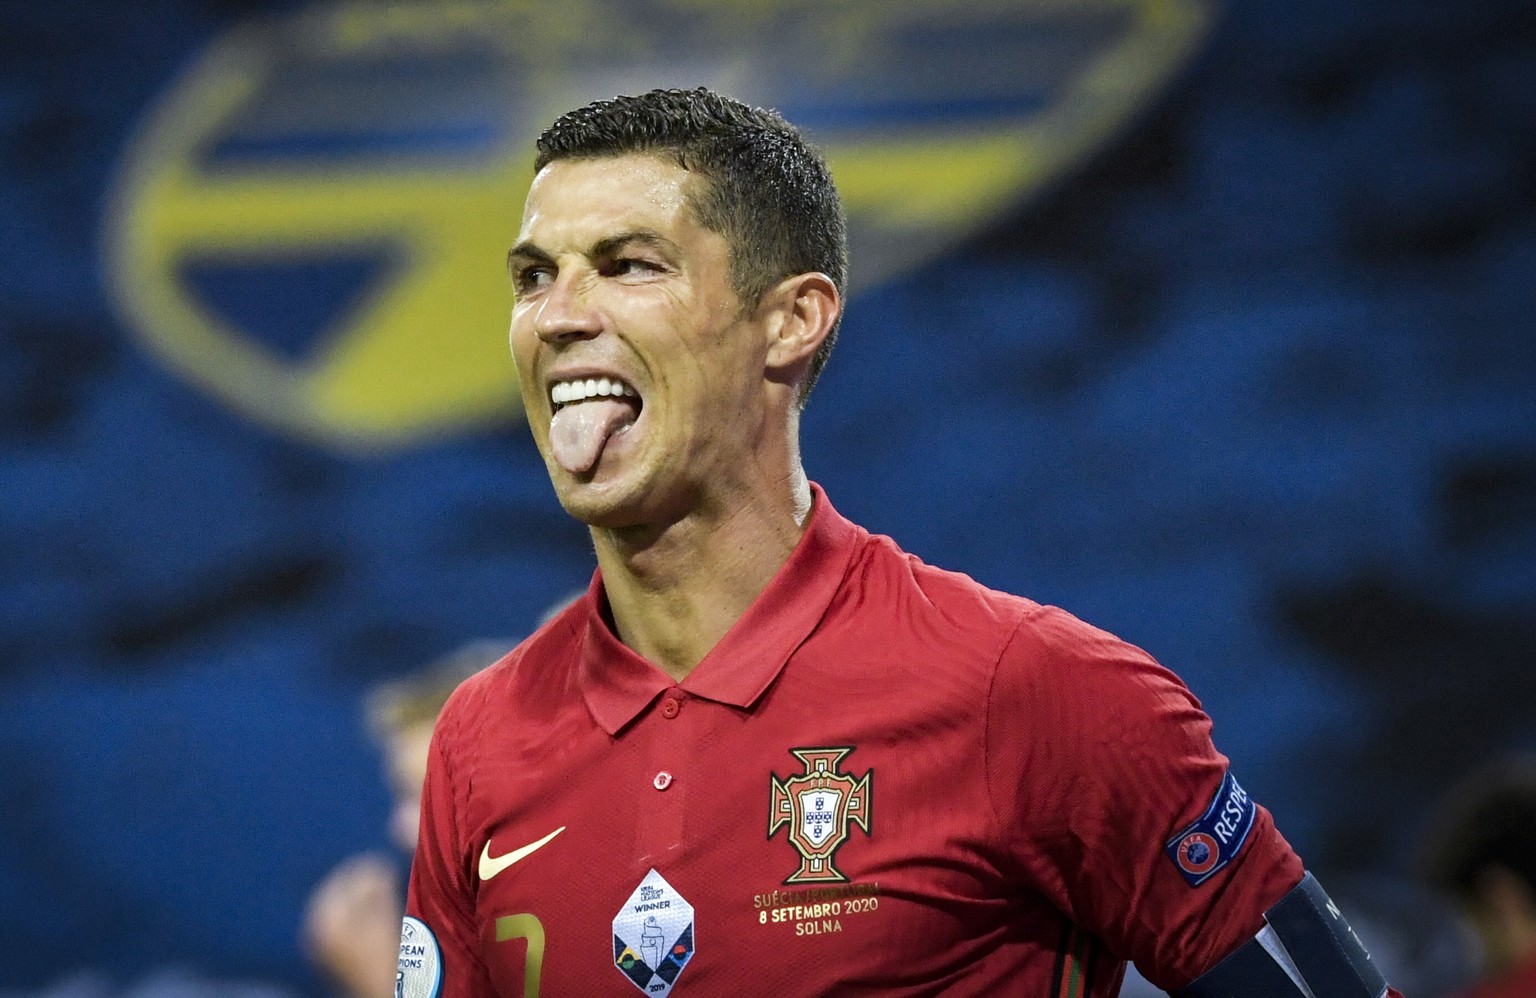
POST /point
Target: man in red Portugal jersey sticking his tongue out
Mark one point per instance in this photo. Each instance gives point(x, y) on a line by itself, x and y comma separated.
point(769, 753)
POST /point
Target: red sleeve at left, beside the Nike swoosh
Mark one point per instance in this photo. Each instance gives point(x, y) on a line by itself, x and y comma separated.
point(440, 888)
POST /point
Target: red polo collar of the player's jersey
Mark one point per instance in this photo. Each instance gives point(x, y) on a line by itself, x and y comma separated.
point(618, 684)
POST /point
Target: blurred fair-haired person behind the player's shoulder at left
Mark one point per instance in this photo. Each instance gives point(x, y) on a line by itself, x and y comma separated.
point(353, 920)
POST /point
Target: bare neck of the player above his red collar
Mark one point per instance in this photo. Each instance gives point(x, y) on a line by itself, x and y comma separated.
point(677, 590)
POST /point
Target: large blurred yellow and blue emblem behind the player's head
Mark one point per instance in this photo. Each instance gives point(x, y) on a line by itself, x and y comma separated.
point(313, 222)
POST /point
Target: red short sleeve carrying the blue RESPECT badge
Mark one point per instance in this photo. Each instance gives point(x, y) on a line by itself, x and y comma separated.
point(1101, 764)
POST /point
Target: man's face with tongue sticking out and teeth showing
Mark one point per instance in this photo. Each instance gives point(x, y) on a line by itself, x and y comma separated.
point(641, 377)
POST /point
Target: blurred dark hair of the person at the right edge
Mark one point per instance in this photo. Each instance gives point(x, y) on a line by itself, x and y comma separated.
point(1489, 821)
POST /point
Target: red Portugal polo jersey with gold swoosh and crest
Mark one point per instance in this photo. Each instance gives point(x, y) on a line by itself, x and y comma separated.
point(886, 781)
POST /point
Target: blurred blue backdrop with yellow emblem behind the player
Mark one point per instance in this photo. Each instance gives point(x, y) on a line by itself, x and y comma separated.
point(1210, 325)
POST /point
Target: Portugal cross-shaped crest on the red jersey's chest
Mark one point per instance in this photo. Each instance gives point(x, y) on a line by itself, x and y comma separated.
point(818, 807)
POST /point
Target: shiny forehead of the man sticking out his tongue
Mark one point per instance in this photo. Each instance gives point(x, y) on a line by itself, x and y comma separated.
point(575, 203)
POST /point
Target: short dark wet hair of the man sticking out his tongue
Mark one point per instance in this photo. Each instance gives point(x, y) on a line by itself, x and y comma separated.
point(769, 191)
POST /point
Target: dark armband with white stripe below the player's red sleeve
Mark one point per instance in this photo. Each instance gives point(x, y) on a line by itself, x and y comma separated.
point(1305, 951)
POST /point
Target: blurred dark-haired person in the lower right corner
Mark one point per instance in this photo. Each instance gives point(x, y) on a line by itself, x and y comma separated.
point(1483, 853)
